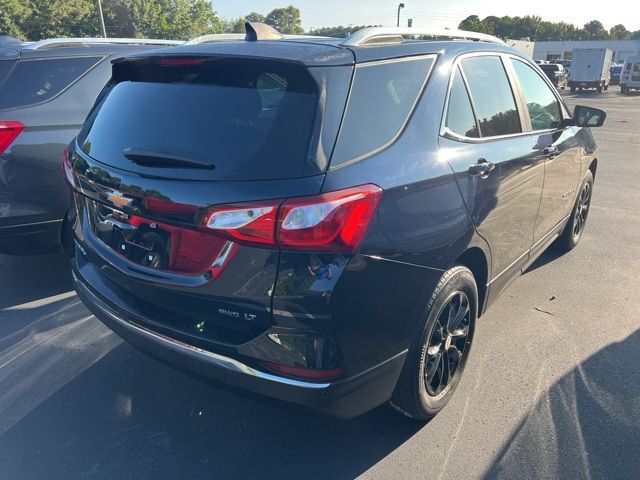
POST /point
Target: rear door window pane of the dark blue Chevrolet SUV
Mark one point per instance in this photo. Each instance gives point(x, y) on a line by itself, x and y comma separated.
point(492, 96)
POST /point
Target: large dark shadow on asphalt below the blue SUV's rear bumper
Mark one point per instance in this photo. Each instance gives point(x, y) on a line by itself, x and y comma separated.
point(128, 416)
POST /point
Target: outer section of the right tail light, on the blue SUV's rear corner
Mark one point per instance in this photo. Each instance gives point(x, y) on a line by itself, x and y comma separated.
point(334, 221)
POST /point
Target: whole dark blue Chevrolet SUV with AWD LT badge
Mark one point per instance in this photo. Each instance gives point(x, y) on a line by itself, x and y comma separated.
point(323, 221)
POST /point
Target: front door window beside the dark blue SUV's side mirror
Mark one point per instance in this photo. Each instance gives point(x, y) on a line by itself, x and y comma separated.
point(542, 104)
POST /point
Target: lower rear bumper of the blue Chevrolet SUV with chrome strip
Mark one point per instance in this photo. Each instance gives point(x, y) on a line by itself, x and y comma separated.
point(345, 398)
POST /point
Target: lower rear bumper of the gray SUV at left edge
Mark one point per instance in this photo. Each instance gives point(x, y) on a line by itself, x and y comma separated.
point(30, 238)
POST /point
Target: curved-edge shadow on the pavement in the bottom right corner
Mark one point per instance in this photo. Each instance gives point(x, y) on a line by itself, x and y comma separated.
point(586, 426)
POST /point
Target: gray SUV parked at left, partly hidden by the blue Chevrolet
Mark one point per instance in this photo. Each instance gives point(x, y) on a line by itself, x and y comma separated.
point(46, 91)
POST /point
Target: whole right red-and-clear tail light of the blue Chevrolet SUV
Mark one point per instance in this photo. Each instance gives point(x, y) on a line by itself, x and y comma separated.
point(335, 221)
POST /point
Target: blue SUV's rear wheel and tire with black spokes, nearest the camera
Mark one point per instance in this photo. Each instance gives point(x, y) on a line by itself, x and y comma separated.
point(436, 347)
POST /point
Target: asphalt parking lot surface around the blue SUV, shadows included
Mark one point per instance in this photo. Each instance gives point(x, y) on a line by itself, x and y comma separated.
point(552, 388)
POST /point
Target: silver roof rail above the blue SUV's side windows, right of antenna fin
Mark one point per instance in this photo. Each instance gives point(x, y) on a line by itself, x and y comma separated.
point(380, 35)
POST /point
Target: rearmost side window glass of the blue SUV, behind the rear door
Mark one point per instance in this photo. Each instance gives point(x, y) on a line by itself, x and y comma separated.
point(382, 98)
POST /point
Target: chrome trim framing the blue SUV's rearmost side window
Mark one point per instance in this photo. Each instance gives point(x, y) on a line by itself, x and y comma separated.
point(406, 120)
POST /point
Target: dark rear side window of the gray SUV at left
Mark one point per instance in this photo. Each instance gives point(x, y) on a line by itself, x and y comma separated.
point(36, 81)
